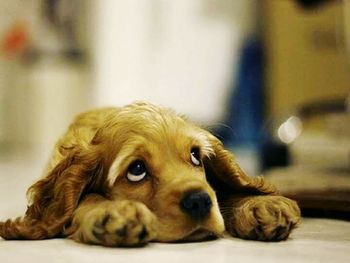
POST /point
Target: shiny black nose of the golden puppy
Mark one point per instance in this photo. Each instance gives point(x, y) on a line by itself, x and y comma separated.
point(196, 204)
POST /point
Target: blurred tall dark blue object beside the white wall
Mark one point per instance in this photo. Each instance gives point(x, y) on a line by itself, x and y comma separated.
point(246, 108)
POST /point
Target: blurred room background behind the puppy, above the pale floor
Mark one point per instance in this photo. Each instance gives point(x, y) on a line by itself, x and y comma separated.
point(270, 78)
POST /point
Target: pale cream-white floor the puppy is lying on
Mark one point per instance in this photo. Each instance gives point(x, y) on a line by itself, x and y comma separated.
point(316, 240)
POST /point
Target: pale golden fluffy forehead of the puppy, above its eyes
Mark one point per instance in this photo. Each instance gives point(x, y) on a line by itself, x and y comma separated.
point(141, 122)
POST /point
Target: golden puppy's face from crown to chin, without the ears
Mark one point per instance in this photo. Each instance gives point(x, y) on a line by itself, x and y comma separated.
point(158, 159)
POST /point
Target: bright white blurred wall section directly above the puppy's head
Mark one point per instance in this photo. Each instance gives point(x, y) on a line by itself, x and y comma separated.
point(180, 54)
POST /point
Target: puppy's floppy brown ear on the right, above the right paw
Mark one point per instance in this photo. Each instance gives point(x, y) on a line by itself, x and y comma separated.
point(224, 174)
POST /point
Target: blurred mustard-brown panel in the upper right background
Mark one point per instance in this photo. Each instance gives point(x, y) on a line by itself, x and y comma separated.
point(306, 58)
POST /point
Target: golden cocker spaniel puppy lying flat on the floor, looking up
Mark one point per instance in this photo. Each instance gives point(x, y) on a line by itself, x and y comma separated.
point(127, 176)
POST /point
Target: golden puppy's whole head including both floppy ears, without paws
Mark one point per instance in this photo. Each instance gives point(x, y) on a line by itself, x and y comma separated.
point(147, 154)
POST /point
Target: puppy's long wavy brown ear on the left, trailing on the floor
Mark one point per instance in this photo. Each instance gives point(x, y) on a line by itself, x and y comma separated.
point(55, 197)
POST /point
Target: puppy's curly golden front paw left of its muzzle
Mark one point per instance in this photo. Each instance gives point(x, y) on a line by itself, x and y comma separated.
point(123, 223)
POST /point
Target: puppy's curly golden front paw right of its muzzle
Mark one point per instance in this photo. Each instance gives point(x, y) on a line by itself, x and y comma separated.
point(266, 218)
